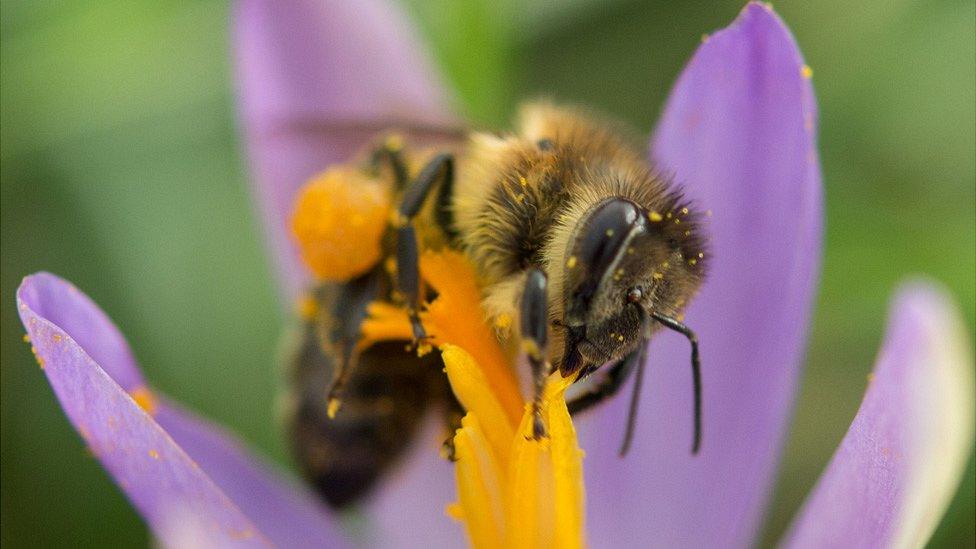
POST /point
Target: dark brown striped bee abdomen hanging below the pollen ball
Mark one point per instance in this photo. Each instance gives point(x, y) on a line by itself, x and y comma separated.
point(385, 399)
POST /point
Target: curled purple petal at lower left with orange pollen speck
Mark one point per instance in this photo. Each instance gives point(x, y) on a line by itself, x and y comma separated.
point(192, 483)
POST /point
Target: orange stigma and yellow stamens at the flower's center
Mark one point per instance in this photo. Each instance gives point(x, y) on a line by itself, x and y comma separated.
point(513, 491)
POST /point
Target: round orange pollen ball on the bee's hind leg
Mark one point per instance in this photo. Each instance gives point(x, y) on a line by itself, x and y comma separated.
point(338, 222)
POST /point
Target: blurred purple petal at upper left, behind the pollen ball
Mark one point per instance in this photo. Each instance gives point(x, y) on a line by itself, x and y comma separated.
point(316, 81)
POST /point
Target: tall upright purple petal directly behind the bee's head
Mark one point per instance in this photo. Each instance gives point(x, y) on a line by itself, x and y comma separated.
point(739, 133)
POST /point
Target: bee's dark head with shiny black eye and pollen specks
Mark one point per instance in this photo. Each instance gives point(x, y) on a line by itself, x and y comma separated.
point(624, 263)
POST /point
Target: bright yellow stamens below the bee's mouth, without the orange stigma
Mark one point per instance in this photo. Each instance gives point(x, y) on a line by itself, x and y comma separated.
point(515, 491)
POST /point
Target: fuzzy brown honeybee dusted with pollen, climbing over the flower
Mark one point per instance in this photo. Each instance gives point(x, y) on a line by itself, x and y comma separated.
point(578, 244)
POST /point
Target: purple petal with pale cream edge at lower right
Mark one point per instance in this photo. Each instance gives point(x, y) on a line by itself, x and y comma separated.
point(896, 470)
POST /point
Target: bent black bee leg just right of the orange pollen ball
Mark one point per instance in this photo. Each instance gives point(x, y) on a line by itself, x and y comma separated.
point(438, 170)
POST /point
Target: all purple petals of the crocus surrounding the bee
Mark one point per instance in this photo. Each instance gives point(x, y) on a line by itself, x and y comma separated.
point(740, 131)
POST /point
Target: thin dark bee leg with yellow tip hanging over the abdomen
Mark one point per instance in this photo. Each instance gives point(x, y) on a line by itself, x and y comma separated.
point(350, 312)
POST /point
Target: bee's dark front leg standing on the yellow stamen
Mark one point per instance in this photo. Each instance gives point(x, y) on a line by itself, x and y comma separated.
point(534, 323)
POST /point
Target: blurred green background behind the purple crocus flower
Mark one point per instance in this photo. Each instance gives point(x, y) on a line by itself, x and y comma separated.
point(121, 170)
